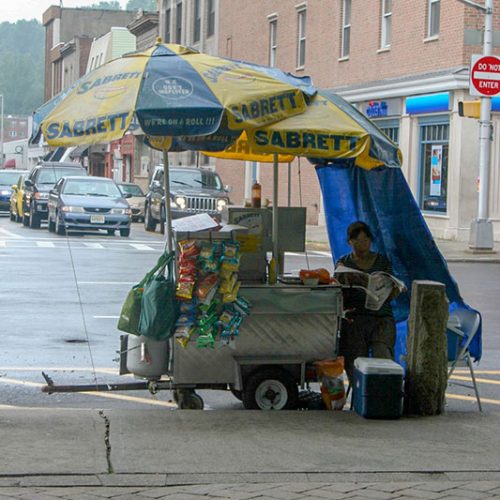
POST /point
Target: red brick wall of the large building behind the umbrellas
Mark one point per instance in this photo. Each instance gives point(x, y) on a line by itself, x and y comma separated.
point(244, 34)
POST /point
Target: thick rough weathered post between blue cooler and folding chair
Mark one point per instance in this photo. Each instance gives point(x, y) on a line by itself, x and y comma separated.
point(427, 359)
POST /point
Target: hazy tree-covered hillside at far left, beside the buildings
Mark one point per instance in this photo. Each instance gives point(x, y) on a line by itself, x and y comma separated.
point(21, 66)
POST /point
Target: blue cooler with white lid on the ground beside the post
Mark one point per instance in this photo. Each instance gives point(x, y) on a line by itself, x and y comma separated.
point(378, 388)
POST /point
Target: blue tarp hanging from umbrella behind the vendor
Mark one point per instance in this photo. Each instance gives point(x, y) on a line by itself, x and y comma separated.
point(382, 198)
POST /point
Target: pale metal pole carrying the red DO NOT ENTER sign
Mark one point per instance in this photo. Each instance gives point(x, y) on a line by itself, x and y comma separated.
point(481, 231)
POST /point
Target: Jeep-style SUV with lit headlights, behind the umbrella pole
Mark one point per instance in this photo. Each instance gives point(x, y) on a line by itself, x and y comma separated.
point(192, 191)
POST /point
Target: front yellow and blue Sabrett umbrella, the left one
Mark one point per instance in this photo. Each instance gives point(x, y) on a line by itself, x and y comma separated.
point(171, 90)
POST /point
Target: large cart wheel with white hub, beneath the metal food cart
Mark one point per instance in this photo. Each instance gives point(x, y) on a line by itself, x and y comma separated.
point(270, 389)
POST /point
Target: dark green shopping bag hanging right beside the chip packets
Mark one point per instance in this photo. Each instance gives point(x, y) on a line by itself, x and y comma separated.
point(158, 305)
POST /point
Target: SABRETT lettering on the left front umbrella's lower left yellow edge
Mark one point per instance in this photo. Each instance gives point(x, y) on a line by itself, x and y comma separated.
point(90, 126)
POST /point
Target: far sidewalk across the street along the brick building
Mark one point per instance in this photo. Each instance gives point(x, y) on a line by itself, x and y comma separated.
point(453, 251)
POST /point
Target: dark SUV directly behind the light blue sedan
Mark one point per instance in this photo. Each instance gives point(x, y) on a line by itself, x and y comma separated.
point(37, 185)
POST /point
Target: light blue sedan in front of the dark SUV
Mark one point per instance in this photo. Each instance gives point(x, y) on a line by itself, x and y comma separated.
point(88, 204)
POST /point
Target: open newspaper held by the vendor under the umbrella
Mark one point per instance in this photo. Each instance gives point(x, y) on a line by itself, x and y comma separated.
point(378, 285)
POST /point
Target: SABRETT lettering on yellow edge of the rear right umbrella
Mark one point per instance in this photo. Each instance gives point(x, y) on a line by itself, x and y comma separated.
point(304, 140)
